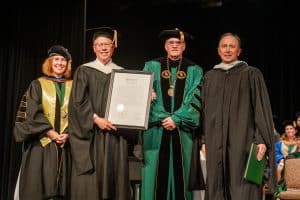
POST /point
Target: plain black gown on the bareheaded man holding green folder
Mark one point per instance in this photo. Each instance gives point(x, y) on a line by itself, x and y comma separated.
point(237, 112)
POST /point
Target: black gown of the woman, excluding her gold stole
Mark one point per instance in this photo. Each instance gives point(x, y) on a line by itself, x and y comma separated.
point(42, 176)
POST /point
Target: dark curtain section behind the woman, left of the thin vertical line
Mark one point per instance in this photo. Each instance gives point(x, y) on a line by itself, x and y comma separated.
point(28, 30)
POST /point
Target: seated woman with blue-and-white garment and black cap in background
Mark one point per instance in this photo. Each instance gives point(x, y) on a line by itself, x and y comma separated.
point(285, 146)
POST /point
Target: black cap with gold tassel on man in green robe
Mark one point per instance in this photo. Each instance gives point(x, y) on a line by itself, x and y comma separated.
point(175, 33)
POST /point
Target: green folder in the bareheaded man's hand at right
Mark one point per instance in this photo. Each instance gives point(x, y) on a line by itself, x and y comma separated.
point(254, 171)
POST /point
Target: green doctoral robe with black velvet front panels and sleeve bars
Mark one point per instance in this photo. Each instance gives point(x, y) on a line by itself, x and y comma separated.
point(167, 154)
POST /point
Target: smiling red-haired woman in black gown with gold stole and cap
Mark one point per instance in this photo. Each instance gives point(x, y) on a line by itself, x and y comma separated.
point(41, 124)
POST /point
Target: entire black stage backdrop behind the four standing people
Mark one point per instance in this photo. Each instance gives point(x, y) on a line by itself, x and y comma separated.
point(268, 29)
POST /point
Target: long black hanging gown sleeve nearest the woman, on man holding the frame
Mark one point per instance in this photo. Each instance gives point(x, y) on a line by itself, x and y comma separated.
point(80, 122)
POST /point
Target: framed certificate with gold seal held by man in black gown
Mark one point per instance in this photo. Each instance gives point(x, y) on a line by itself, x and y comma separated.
point(129, 98)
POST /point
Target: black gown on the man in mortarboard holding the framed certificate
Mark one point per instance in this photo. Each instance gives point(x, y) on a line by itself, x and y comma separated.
point(100, 160)
